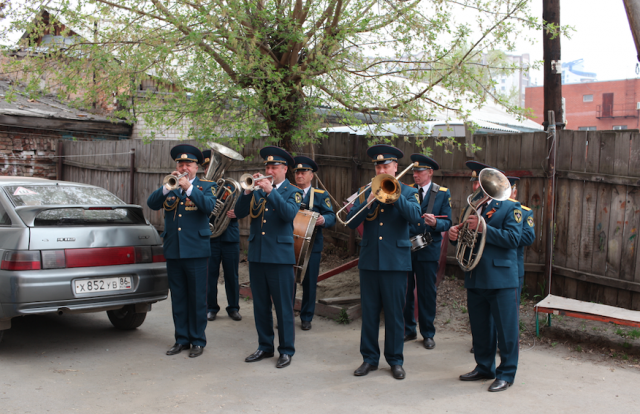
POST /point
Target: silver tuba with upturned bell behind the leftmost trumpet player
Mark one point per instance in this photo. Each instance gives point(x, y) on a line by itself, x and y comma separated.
point(228, 189)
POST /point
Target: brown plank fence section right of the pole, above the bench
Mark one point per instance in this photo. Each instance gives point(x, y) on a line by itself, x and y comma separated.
point(598, 215)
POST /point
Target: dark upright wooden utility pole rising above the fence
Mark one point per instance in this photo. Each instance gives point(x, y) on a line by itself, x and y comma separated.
point(552, 64)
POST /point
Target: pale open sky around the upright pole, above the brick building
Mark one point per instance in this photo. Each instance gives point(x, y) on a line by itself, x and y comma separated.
point(602, 38)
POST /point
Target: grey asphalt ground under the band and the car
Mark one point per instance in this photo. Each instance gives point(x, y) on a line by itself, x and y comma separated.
point(80, 363)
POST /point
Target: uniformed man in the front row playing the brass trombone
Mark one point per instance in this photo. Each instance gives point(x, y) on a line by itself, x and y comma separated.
point(385, 259)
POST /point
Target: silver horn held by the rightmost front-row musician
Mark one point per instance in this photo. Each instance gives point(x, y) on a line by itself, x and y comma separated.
point(493, 185)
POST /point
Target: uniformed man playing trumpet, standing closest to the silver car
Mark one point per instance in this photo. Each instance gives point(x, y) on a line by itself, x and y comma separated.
point(186, 247)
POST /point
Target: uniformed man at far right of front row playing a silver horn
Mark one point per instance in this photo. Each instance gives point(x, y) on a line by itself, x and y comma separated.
point(492, 286)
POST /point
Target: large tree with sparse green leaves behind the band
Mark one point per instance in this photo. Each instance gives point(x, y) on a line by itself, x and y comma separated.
point(246, 68)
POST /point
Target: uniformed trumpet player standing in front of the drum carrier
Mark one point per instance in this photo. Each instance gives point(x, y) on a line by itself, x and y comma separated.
point(273, 207)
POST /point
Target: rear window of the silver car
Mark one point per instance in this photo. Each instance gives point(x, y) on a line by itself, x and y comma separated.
point(44, 195)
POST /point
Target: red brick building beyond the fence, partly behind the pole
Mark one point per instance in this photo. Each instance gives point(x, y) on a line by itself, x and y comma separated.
point(593, 105)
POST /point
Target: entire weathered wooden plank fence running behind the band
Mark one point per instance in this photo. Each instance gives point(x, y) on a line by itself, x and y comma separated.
point(597, 197)
